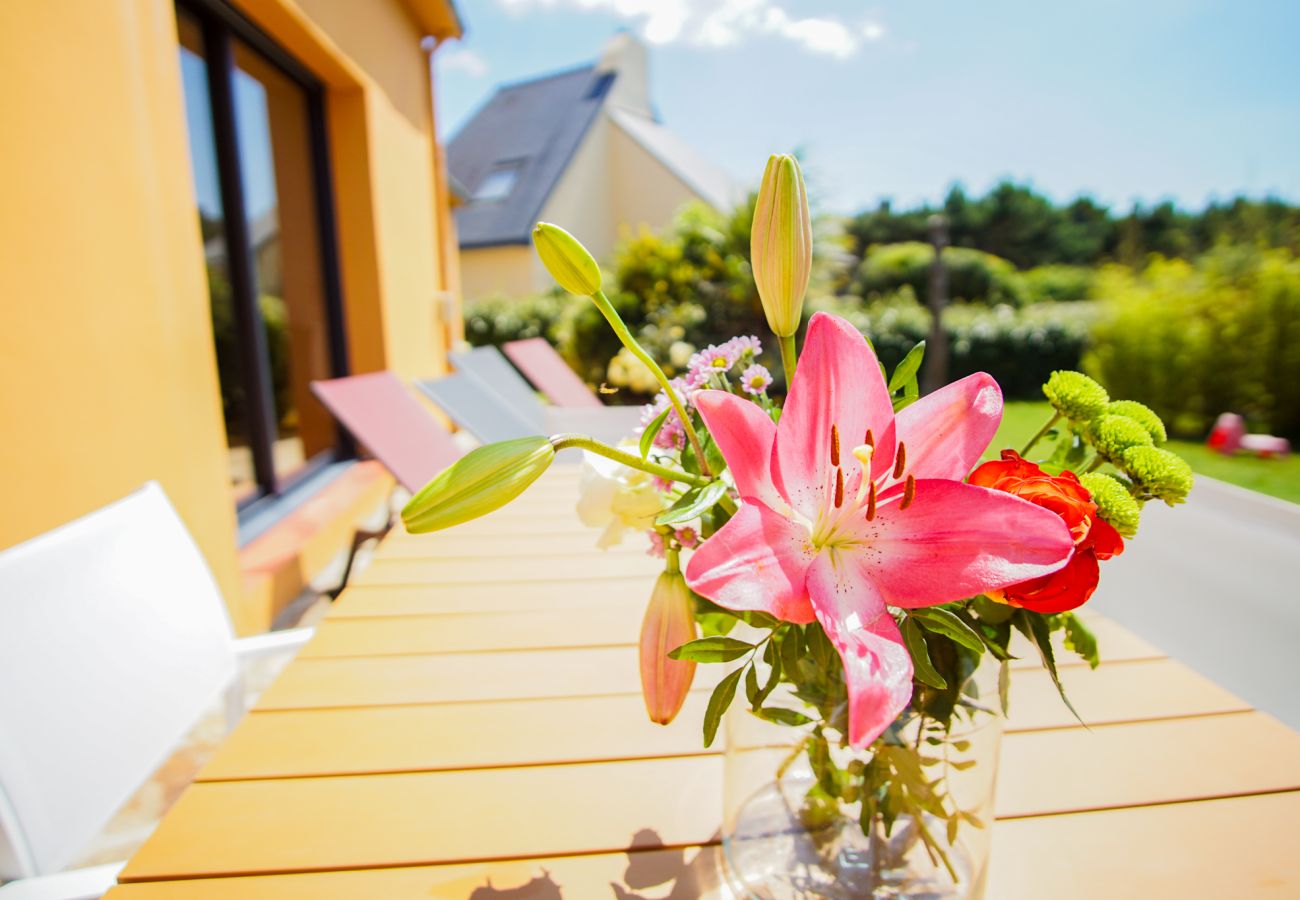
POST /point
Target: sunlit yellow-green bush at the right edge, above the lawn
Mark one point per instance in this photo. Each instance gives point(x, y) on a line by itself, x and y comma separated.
point(1193, 341)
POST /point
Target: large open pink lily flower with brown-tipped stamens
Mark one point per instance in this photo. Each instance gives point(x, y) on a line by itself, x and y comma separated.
point(848, 509)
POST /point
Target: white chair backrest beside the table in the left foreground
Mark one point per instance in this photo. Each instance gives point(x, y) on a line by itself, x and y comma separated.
point(114, 643)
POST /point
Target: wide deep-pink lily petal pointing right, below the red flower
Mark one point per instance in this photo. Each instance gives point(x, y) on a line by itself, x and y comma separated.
point(957, 540)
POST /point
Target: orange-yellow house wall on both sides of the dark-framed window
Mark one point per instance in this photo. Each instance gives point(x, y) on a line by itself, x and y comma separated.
point(107, 362)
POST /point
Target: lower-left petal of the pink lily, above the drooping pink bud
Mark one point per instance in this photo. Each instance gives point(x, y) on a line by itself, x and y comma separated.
point(759, 561)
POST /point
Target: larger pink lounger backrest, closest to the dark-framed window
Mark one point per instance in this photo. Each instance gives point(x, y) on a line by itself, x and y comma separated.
point(383, 416)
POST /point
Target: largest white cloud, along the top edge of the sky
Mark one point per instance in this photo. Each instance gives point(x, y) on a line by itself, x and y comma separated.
point(722, 23)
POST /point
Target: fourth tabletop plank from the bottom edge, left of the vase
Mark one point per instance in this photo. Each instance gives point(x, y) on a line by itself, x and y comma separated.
point(461, 678)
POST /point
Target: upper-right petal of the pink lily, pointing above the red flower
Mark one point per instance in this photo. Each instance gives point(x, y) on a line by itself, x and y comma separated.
point(948, 431)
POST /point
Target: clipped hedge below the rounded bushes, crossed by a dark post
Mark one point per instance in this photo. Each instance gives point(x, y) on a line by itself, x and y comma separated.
point(1019, 347)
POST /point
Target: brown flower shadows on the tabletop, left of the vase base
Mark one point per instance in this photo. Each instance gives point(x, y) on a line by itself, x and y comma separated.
point(664, 873)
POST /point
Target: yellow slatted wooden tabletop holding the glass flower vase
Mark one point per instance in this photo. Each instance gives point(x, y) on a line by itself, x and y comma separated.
point(467, 724)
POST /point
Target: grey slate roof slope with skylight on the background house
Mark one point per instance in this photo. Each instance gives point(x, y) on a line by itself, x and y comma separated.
point(535, 127)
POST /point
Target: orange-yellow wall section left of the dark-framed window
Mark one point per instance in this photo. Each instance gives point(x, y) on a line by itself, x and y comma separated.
point(107, 366)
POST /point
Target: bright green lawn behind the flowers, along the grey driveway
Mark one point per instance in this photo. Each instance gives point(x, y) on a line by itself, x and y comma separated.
point(1280, 478)
